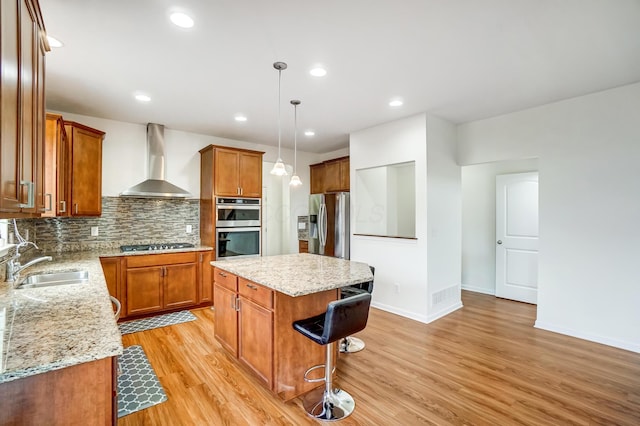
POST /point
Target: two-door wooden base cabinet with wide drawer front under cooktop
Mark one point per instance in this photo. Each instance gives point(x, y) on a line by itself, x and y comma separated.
point(160, 282)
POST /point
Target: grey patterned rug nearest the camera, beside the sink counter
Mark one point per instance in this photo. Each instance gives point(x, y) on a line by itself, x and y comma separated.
point(138, 385)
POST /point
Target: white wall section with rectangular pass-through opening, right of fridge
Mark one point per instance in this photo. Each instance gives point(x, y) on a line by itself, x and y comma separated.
point(402, 281)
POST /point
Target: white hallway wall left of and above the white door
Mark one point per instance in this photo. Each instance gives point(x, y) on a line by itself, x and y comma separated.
point(479, 221)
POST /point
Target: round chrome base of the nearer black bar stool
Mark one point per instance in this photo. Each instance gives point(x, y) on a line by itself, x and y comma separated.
point(337, 405)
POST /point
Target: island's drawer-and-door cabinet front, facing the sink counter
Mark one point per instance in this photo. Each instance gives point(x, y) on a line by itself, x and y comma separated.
point(244, 323)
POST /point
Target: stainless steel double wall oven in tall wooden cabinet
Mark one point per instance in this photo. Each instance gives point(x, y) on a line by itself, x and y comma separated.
point(238, 223)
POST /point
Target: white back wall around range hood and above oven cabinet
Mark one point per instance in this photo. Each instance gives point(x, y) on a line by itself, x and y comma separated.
point(124, 162)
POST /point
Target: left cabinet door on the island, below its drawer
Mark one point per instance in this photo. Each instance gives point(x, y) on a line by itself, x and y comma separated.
point(226, 318)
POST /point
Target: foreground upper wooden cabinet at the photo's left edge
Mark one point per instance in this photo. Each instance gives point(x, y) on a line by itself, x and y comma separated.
point(22, 48)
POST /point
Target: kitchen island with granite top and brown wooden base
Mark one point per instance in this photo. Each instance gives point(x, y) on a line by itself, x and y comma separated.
point(256, 301)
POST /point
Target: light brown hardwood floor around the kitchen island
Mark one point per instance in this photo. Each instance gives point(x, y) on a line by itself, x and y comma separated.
point(484, 364)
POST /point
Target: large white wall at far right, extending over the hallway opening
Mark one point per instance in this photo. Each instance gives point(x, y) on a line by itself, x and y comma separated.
point(589, 155)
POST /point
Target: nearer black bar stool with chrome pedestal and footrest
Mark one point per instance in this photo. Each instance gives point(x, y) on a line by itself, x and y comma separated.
point(342, 318)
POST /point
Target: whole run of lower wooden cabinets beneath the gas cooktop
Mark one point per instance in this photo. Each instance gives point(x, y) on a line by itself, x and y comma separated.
point(152, 283)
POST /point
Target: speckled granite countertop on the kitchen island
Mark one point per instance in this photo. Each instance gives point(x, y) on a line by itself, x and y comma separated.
point(298, 274)
